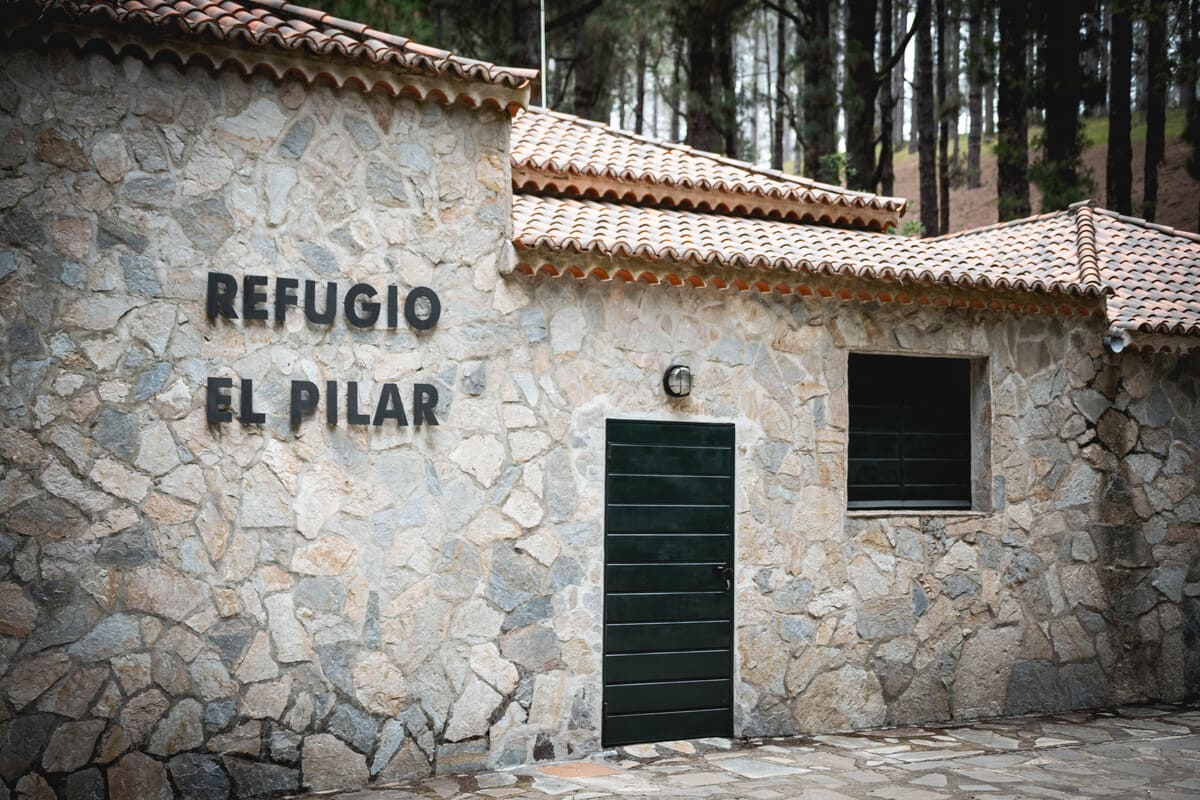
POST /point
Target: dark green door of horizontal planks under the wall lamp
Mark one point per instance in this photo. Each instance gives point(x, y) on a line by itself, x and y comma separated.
point(669, 574)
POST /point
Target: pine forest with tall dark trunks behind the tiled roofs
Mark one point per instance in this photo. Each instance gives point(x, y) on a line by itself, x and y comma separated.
point(977, 111)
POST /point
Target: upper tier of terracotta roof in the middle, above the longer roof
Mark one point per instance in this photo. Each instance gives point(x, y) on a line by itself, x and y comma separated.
point(561, 154)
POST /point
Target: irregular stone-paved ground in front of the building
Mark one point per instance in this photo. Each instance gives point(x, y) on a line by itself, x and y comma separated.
point(1136, 753)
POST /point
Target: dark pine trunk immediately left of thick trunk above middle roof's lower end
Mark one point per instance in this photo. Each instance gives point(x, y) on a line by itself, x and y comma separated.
point(820, 95)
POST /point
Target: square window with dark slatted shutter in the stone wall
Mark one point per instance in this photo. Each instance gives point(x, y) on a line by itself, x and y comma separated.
point(910, 432)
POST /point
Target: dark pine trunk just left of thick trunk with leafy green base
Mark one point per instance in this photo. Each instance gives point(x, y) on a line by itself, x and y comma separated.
point(1013, 139)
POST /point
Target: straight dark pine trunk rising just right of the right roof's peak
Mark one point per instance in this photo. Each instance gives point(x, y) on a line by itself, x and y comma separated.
point(1119, 172)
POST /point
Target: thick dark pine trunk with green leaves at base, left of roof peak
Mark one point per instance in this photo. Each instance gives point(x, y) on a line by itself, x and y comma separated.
point(1059, 173)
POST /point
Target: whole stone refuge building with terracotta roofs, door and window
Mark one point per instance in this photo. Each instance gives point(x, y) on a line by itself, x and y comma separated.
point(341, 443)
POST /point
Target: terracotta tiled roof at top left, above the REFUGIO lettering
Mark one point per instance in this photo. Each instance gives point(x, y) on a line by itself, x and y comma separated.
point(271, 26)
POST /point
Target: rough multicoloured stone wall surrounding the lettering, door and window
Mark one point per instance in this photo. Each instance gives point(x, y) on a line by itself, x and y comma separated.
point(220, 609)
